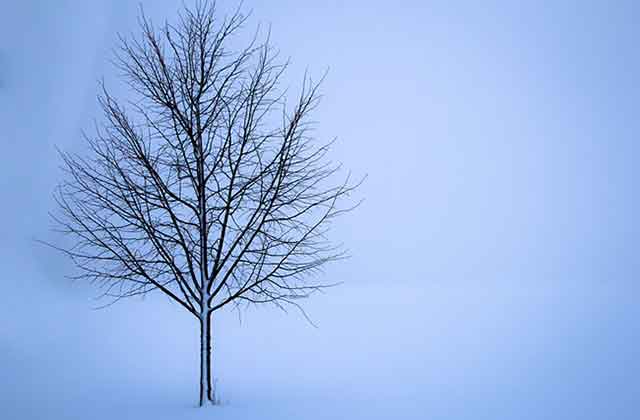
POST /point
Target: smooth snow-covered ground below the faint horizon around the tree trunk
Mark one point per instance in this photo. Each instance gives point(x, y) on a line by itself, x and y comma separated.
point(462, 350)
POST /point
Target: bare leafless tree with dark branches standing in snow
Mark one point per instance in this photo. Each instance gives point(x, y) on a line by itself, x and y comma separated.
point(204, 185)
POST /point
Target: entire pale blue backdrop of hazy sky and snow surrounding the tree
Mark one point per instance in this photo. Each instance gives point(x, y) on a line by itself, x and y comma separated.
point(495, 261)
